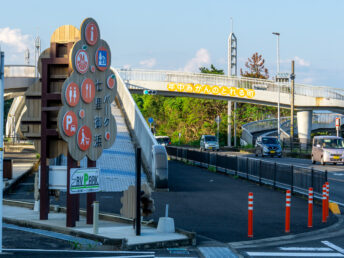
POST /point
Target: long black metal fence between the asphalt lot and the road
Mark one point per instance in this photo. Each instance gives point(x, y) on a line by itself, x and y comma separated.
point(295, 178)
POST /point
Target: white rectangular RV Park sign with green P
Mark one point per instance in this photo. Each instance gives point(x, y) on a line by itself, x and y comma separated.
point(84, 180)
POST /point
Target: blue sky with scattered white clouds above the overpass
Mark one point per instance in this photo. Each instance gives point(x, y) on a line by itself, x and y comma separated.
point(184, 35)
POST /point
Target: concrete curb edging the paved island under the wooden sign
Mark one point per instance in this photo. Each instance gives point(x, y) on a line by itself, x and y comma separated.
point(114, 242)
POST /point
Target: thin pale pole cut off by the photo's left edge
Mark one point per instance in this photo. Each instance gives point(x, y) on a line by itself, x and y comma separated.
point(2, 85)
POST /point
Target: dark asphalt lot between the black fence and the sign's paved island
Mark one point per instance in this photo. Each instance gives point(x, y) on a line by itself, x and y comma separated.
point(212, 204)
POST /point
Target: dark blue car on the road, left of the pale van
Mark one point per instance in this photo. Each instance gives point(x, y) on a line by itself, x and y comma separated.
point(268, 146)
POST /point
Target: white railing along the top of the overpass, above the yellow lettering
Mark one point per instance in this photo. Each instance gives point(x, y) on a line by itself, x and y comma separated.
point(223, 80)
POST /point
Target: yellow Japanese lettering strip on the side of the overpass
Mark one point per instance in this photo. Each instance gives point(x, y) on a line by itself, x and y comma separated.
point(211, 90)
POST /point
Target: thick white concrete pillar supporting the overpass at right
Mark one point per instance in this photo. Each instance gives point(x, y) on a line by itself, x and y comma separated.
point(304, 127)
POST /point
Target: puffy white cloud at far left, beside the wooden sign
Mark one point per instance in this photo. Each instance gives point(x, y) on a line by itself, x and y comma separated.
point(15, 43)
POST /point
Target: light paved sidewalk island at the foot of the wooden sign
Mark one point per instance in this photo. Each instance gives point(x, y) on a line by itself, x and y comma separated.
point(112, 234)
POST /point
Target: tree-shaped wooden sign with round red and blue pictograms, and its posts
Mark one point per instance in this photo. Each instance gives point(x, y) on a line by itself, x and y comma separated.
point(85, 120)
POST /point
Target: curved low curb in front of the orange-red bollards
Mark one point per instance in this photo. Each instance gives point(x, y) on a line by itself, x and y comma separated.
point(336, 228)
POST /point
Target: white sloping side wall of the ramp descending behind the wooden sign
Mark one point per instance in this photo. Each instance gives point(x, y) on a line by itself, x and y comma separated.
point(152, 155)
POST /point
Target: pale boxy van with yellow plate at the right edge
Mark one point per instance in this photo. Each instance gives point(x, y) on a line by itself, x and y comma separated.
point(327, 149)
